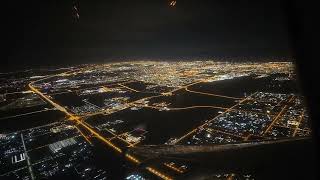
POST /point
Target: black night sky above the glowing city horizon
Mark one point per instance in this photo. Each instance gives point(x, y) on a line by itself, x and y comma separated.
point(48, 32)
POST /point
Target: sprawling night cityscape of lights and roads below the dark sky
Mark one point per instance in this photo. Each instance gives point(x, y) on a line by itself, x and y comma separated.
point(154, 119)
